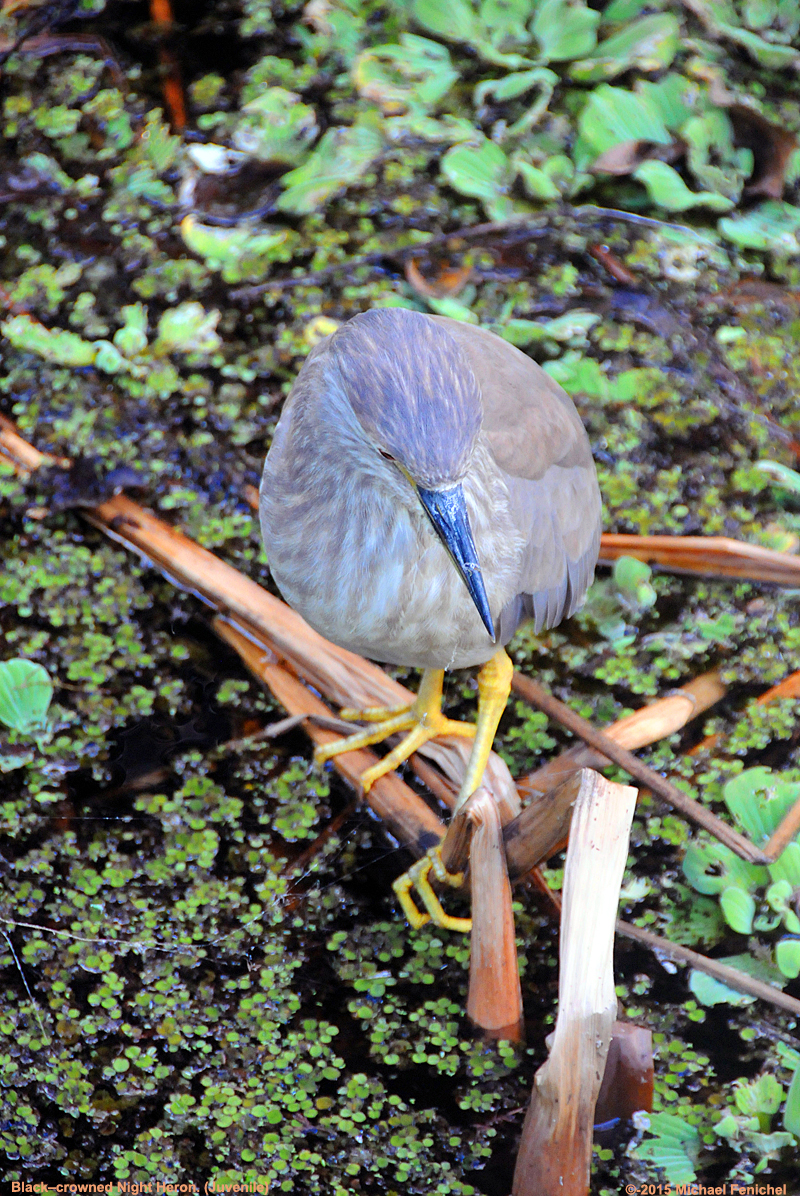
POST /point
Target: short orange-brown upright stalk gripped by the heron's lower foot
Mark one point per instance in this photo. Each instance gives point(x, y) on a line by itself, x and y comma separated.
point(496, 1000)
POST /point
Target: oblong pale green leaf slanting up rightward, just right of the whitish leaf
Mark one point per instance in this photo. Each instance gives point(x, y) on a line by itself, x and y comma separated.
point(340, 160)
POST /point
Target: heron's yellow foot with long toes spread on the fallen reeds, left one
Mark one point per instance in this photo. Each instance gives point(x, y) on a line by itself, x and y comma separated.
point(424, 721)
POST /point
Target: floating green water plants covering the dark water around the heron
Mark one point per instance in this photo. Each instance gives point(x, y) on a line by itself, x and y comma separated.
point(196, 1011)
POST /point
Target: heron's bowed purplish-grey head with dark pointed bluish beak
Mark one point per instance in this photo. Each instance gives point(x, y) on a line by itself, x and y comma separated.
point(418, 401)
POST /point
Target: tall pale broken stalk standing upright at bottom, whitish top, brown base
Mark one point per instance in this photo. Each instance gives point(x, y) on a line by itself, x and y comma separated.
point(557, 1149)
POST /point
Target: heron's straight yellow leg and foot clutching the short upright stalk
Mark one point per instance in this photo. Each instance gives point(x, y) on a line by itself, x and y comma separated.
point(494, 687)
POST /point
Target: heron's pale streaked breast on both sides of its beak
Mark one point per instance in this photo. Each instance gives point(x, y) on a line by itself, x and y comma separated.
point(363, 565)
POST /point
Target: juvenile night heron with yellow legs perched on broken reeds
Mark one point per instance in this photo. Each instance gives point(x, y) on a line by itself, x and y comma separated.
point(429, 489)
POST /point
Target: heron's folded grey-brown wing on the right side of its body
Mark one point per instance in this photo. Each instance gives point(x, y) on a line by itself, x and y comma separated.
point(541, 446)
